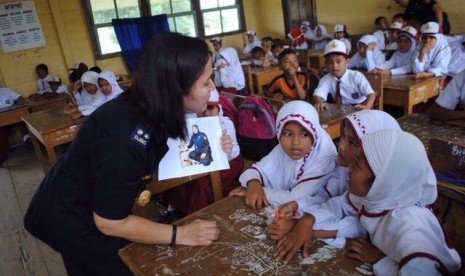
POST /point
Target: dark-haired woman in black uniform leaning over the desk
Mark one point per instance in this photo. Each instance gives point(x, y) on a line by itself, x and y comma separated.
point(83, 206)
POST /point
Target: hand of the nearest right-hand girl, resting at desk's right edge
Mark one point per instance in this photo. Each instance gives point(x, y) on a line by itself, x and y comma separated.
point(362, 250)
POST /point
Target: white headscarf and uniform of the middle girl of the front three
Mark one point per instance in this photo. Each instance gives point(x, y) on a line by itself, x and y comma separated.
point(328, 215)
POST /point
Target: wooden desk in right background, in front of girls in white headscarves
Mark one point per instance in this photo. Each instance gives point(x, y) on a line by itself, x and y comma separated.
point(406, 91)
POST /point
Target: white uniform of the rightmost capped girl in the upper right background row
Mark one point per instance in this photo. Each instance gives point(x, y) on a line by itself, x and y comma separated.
point(436, 60)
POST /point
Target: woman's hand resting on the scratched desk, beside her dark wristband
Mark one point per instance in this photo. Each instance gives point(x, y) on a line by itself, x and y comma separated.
point(198, 232)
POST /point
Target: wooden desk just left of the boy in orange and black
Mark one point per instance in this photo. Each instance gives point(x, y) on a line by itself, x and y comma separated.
point(260, 76)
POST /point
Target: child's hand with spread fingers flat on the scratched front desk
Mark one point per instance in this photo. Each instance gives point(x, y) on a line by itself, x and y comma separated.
point(299, 235)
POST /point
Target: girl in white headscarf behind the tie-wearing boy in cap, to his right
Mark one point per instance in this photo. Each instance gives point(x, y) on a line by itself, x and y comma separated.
point(368, 56)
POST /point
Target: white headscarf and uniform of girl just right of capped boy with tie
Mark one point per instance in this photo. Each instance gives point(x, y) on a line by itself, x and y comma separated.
point(371, 60)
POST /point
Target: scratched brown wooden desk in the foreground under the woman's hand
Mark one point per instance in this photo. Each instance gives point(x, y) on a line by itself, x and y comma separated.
point(242, 249)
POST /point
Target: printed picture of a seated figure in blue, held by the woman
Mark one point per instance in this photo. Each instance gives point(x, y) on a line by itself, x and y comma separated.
point(200, 152)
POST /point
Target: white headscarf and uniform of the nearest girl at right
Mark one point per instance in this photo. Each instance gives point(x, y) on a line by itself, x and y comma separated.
point(393, 211)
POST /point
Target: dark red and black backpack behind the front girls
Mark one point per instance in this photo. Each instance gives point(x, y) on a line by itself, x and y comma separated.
point(256, 133)
